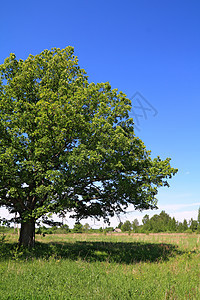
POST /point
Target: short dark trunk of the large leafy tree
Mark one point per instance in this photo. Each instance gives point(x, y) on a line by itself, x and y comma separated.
point(27, 234)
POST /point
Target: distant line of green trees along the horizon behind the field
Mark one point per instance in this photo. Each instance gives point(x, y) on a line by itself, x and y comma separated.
point(158, 223)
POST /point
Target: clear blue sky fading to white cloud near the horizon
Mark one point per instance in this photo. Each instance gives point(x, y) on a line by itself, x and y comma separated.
point(152, 47)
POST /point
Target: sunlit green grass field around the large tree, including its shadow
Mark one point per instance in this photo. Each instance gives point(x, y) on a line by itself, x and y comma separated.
point(97, 266)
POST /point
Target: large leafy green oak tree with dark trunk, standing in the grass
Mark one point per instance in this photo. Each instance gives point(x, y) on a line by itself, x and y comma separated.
point(69, 145)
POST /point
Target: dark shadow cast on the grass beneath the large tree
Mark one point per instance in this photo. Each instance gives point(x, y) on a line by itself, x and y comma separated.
point(117, 252)
